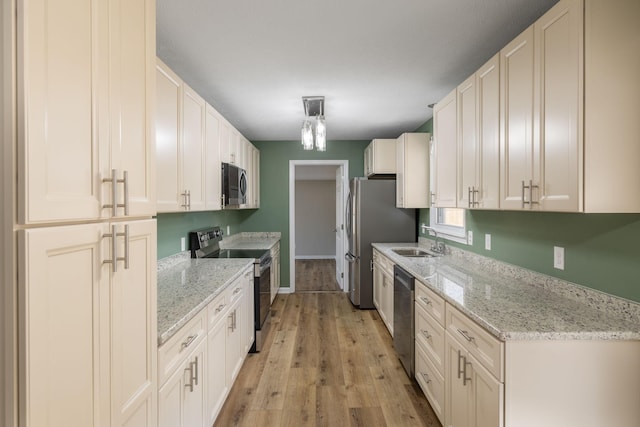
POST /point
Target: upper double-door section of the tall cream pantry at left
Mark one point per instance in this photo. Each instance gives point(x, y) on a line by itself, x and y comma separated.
point(85, 81)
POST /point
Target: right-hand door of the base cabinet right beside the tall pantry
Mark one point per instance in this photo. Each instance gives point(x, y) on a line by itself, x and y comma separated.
point(194, 391)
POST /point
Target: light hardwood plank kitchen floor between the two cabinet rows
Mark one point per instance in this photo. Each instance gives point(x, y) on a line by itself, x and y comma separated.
point(325, 363)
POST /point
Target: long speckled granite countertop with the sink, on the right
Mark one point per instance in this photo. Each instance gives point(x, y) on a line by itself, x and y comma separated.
point(518, 306)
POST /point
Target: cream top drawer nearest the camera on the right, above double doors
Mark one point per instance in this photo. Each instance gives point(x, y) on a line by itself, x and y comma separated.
point(486, 348)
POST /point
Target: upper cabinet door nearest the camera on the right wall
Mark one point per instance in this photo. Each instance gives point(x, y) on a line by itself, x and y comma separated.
point(558, 109)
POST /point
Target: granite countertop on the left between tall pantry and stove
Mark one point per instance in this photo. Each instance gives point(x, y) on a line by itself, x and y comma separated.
point(186, 286)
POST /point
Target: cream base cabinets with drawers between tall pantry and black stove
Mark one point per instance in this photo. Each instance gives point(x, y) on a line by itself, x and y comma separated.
point(198, 365)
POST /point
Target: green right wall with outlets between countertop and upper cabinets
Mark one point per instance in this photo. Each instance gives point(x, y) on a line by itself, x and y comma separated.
point(601, 250)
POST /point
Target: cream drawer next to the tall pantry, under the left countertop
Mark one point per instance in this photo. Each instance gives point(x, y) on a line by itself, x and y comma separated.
point(177, 349)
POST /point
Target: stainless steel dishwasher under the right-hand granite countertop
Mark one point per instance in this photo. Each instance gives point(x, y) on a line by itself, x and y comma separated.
point(403, 321)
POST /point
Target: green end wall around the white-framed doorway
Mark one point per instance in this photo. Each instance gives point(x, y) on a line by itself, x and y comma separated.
point(273, 214)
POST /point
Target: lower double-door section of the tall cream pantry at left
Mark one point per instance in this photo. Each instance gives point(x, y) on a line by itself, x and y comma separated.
point(104, 340)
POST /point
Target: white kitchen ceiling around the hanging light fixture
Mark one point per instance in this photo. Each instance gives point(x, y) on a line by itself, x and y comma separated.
point(378, 63)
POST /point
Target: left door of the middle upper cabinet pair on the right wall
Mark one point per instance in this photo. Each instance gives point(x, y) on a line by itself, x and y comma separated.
point(468, 147)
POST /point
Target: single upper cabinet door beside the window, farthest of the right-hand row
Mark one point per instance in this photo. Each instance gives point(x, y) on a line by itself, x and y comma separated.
point(445, 152)
